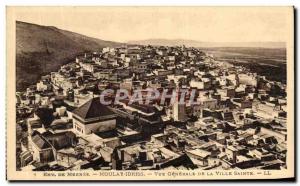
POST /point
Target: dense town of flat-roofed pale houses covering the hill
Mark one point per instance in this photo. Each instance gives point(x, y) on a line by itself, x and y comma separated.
point(230, 117)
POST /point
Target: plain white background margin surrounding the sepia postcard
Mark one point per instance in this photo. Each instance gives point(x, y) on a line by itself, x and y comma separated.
point(4, 3)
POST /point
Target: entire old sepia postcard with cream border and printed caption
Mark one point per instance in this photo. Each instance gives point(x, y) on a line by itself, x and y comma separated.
point(150, 93)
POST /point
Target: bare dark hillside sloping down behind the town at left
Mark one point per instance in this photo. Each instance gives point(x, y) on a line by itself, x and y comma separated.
point(42, 49)
